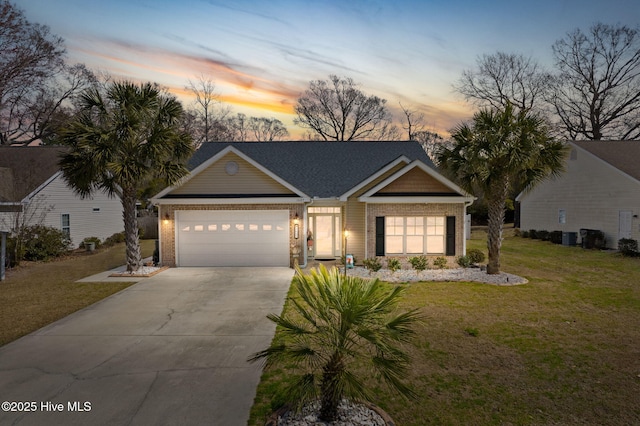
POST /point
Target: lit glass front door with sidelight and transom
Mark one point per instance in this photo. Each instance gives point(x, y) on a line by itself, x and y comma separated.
point(324, 227)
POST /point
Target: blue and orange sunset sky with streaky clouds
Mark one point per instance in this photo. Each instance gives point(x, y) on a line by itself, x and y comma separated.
point(262, 54)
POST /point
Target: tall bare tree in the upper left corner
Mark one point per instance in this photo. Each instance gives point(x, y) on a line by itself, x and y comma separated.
point(29, 56)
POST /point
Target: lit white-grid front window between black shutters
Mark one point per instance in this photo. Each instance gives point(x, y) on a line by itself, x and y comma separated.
point(414, 235)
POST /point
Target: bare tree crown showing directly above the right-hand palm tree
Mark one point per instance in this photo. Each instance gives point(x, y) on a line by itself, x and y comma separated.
point(503, 78)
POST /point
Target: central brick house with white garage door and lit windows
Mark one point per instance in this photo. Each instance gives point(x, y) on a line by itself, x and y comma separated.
point(282, 203)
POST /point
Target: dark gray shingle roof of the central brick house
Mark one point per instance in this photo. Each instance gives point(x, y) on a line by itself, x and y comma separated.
point(322, 169)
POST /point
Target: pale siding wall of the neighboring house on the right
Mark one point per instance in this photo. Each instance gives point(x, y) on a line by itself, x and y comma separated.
point(591, 192)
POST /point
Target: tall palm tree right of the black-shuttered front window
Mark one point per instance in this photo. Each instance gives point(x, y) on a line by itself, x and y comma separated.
point(498, 150)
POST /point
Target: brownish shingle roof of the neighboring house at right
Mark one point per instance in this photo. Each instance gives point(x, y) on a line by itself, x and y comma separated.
point(624, 155)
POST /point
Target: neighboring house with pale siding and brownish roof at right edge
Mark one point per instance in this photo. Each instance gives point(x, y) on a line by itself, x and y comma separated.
point(599, 190)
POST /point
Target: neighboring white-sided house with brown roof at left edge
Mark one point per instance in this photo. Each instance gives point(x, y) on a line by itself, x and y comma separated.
point(33, 191)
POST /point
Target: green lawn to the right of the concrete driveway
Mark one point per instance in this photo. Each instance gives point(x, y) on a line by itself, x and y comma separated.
point(562, 349)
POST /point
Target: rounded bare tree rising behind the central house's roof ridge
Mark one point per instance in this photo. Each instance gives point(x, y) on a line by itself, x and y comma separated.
point(336, 109)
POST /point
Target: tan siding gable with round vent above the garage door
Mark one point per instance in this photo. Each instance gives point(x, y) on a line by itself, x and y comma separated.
point(231, 175)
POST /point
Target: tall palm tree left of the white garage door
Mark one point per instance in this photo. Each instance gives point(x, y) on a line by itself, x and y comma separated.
point(120, 142)
